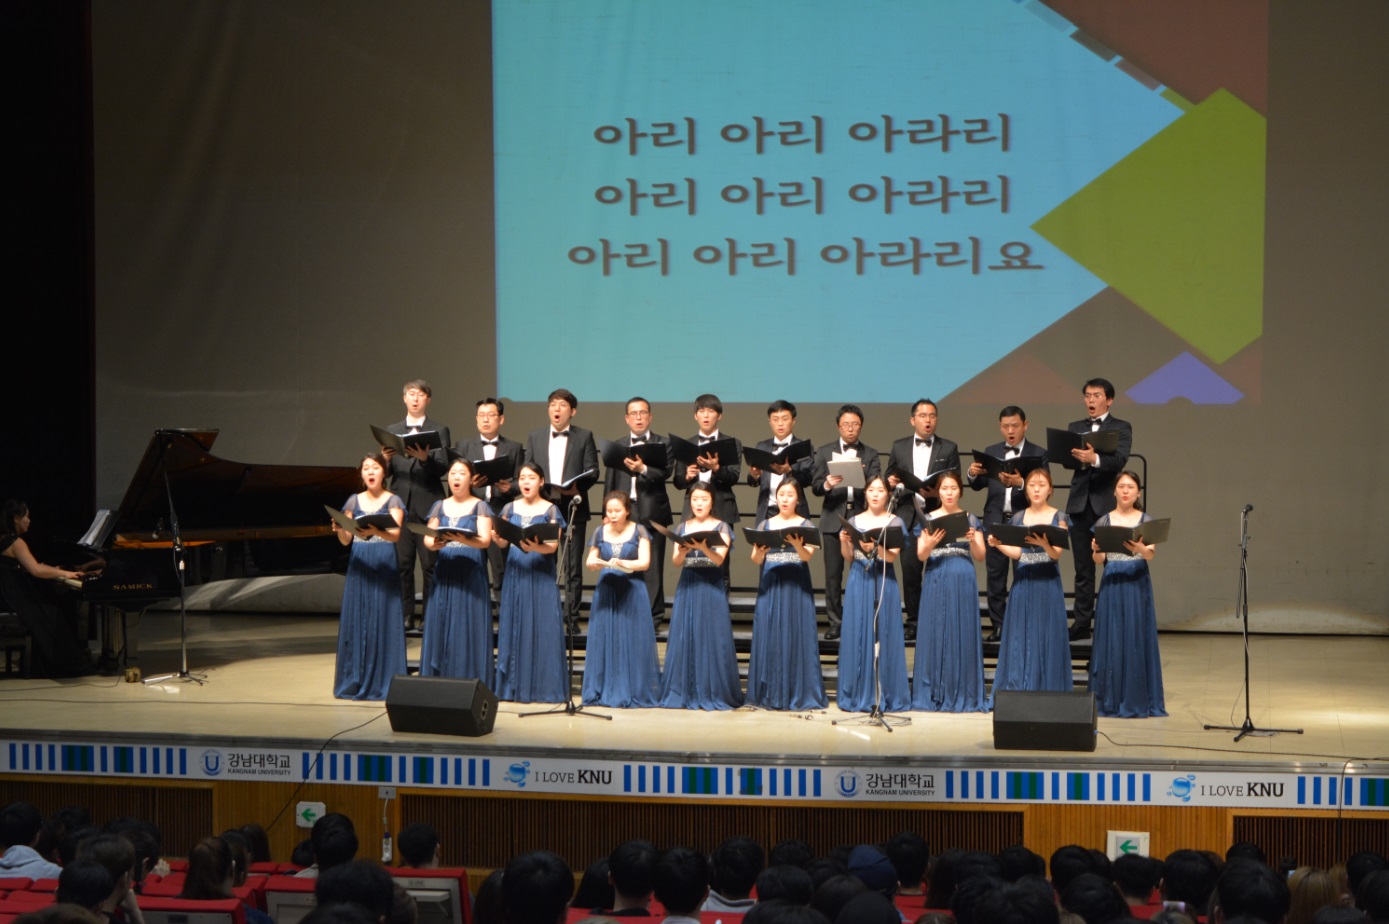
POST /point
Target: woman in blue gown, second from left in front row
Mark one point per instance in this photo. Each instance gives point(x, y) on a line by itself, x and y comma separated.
point(459, 619)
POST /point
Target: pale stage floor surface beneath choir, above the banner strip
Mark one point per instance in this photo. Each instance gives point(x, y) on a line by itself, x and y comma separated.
point(270, 679)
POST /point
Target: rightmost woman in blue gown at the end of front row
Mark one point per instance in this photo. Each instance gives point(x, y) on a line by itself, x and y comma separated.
point(1126, 669)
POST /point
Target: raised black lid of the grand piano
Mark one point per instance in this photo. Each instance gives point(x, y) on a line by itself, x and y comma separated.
point(219, 500)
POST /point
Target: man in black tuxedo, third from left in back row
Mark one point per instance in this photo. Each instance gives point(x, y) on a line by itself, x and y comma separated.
point(565, 452)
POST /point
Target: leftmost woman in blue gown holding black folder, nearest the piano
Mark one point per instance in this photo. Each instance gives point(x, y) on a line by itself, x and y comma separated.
point(372, 637)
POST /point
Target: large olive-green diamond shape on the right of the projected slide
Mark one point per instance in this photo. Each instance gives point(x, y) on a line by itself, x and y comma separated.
point(1179, 227)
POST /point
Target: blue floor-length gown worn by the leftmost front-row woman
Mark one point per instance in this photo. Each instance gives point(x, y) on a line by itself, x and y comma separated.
point(372, 636)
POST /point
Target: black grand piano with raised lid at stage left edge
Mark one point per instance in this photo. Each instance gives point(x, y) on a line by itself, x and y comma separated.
point(235, 520)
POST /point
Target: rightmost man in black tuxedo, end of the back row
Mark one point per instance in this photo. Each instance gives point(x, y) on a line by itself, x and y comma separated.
point(1092, 494)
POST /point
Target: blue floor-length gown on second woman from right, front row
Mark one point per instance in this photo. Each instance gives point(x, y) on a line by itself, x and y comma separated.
point(1035, 652)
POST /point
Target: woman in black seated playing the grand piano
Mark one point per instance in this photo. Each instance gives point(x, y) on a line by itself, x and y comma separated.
point(48, 612)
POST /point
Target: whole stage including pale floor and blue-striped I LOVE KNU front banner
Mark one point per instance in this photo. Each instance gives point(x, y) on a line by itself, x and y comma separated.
point(267, 713)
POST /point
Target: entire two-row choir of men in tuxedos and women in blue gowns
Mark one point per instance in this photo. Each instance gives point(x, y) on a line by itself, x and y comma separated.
point(516, 534)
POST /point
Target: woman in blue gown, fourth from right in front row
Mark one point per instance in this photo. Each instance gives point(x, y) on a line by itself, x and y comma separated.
point(870, 593)
